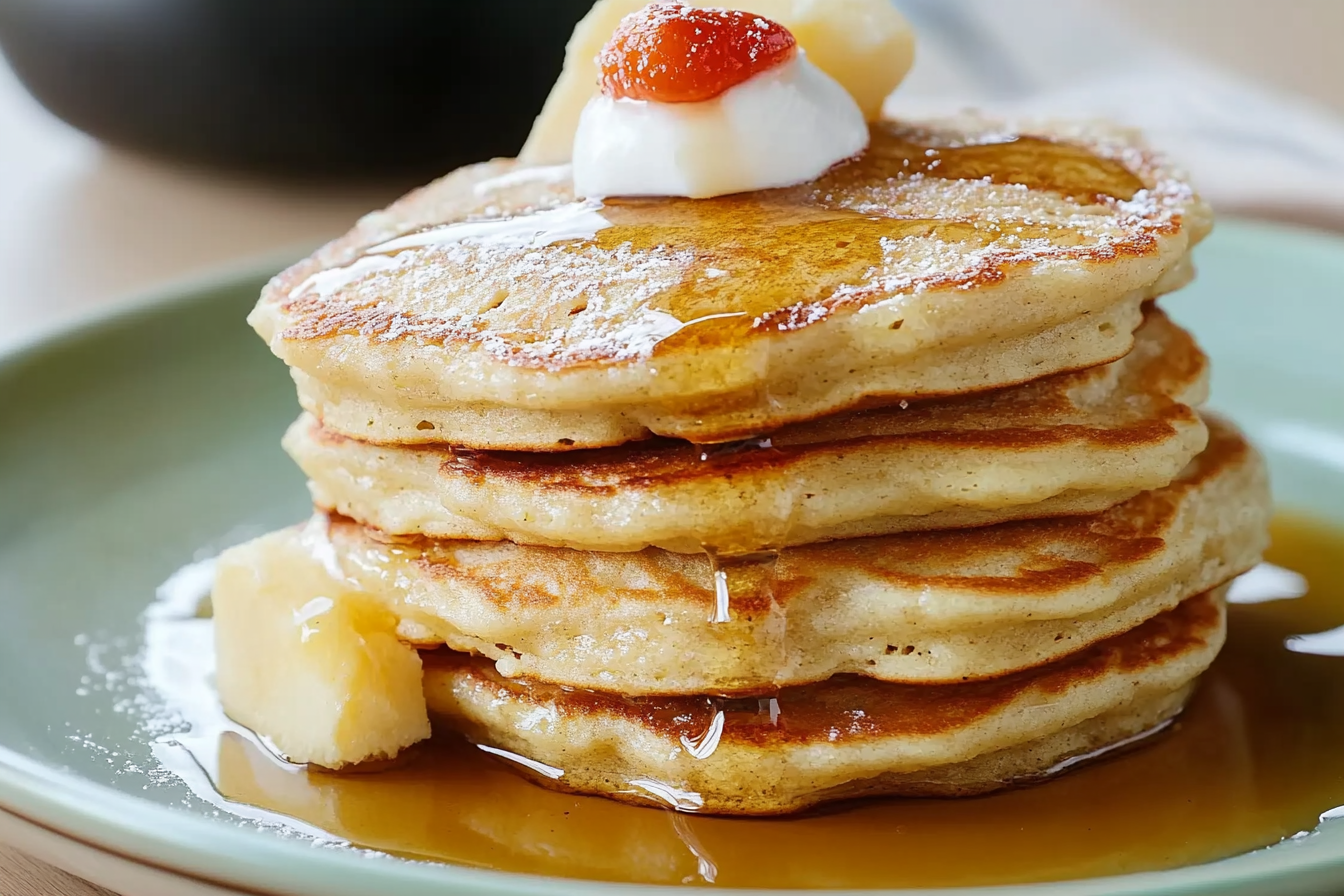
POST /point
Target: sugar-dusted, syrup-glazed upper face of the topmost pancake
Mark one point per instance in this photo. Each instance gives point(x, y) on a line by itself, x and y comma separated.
point(948, 218)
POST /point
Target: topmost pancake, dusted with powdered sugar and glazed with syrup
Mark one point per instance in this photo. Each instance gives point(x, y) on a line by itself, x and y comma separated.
point(494, 311)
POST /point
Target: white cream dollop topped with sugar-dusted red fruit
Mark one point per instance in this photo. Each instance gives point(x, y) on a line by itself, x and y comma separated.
point(705, 103)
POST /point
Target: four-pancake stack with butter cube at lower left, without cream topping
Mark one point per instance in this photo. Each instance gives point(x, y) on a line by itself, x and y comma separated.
point(892, 483)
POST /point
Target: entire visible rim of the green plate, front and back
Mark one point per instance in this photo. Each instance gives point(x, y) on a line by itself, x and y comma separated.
point(214, 852)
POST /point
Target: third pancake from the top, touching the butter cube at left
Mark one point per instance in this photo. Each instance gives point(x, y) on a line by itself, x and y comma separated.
point(917, 608)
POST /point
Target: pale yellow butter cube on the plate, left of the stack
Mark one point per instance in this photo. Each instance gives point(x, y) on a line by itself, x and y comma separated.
point(308, 662)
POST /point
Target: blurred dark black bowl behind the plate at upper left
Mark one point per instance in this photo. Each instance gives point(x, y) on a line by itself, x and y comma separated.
point(370, 89)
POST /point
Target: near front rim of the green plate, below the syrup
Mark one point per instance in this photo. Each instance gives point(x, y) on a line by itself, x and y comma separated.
point(260, 864)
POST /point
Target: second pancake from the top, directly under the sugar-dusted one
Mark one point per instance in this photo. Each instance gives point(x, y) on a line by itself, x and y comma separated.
point(1062, 445)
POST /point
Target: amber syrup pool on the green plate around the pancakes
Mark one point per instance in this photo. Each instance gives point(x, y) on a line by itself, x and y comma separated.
point(1259, 757)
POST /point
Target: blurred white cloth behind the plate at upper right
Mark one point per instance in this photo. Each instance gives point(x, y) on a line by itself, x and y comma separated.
point(1253, 151)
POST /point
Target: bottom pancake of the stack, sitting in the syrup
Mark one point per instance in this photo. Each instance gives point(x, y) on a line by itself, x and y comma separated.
point(838, 740)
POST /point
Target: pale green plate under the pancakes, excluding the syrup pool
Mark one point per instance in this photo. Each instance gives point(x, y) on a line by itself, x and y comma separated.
point(135, 443)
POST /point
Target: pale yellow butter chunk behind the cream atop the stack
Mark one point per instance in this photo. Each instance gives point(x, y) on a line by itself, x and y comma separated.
point(865, 45)
